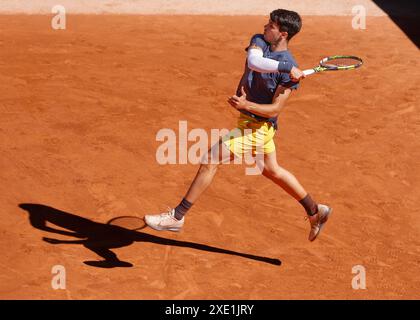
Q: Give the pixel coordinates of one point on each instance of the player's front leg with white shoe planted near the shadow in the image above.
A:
(173, 220)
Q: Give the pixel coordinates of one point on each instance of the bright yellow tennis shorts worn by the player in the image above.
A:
(250, 135)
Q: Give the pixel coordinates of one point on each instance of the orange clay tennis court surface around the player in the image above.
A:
(80, 110)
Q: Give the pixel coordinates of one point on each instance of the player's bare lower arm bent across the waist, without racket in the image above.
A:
(264, 110)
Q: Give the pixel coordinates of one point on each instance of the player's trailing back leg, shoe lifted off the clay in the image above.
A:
(317, 213)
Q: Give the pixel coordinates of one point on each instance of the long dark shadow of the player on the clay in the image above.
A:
(101, 237)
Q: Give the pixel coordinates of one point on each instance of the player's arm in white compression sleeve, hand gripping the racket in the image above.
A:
(258, 63)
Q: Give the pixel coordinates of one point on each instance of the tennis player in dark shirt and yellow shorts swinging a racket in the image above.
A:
(270, 76)
